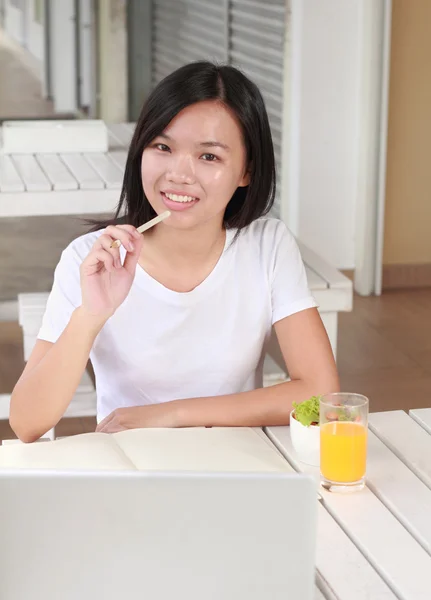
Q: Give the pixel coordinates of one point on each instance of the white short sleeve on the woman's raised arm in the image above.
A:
(64, 298)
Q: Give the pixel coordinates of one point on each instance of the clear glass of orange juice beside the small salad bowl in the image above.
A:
(343, 441)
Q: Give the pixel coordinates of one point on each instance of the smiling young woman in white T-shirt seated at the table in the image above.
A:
(176, 321)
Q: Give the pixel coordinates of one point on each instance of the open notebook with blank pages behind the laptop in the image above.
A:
(234, 449)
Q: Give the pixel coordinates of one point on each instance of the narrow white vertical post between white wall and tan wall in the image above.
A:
(374, 90)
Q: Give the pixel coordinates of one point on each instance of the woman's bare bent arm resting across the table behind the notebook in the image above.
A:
(310, 362)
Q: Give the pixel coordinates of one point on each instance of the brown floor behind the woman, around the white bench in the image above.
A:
(384, 352)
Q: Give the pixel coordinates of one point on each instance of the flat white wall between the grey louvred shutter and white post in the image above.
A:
(324, 135)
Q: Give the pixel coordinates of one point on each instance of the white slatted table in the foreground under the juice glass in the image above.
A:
(376, 543)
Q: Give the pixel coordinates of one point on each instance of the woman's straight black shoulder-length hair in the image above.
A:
(188, 85)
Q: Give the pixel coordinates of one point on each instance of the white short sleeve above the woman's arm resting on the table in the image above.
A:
(289, 290)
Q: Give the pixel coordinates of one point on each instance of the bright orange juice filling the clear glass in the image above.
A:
(343, 451)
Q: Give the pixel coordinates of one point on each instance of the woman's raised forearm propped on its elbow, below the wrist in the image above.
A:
(42, 395)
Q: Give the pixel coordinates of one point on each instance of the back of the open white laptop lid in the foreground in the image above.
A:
(113, 535)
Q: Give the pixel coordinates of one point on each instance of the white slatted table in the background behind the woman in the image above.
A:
(64, 184)
